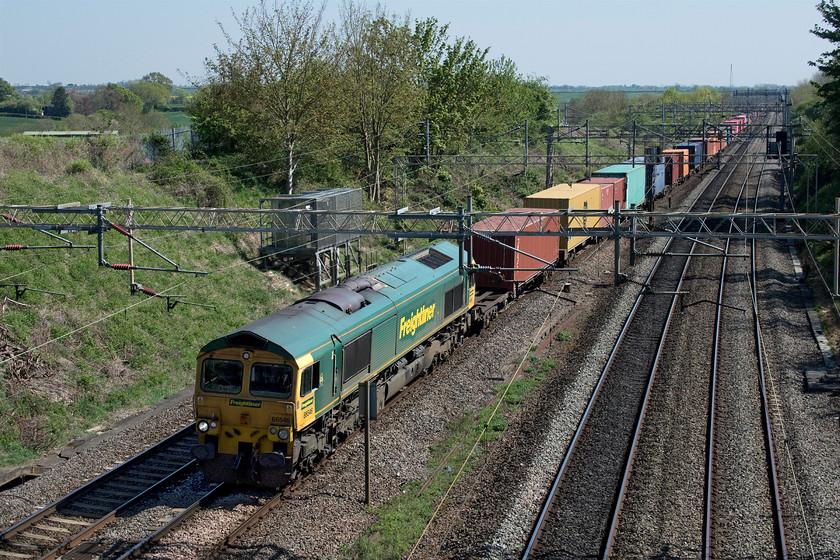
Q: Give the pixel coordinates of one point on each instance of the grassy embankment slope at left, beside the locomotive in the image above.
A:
(77, 357)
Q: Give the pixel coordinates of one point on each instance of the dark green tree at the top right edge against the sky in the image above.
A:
(829, 62)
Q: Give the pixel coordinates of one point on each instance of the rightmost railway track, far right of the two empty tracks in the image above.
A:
(738, 406)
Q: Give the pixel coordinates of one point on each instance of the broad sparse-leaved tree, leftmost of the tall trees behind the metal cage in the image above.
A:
(279, 79)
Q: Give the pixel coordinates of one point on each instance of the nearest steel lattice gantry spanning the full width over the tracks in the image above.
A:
(633, 224)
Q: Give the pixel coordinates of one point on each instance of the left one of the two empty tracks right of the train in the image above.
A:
(580, 515)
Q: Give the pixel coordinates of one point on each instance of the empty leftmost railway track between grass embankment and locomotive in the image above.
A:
(70, 521)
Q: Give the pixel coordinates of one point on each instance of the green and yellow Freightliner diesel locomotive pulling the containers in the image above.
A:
(273, 397)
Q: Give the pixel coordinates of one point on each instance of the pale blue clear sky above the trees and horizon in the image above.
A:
(574, 42)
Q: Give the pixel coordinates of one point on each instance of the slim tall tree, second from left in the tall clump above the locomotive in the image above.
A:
(380, 70)
